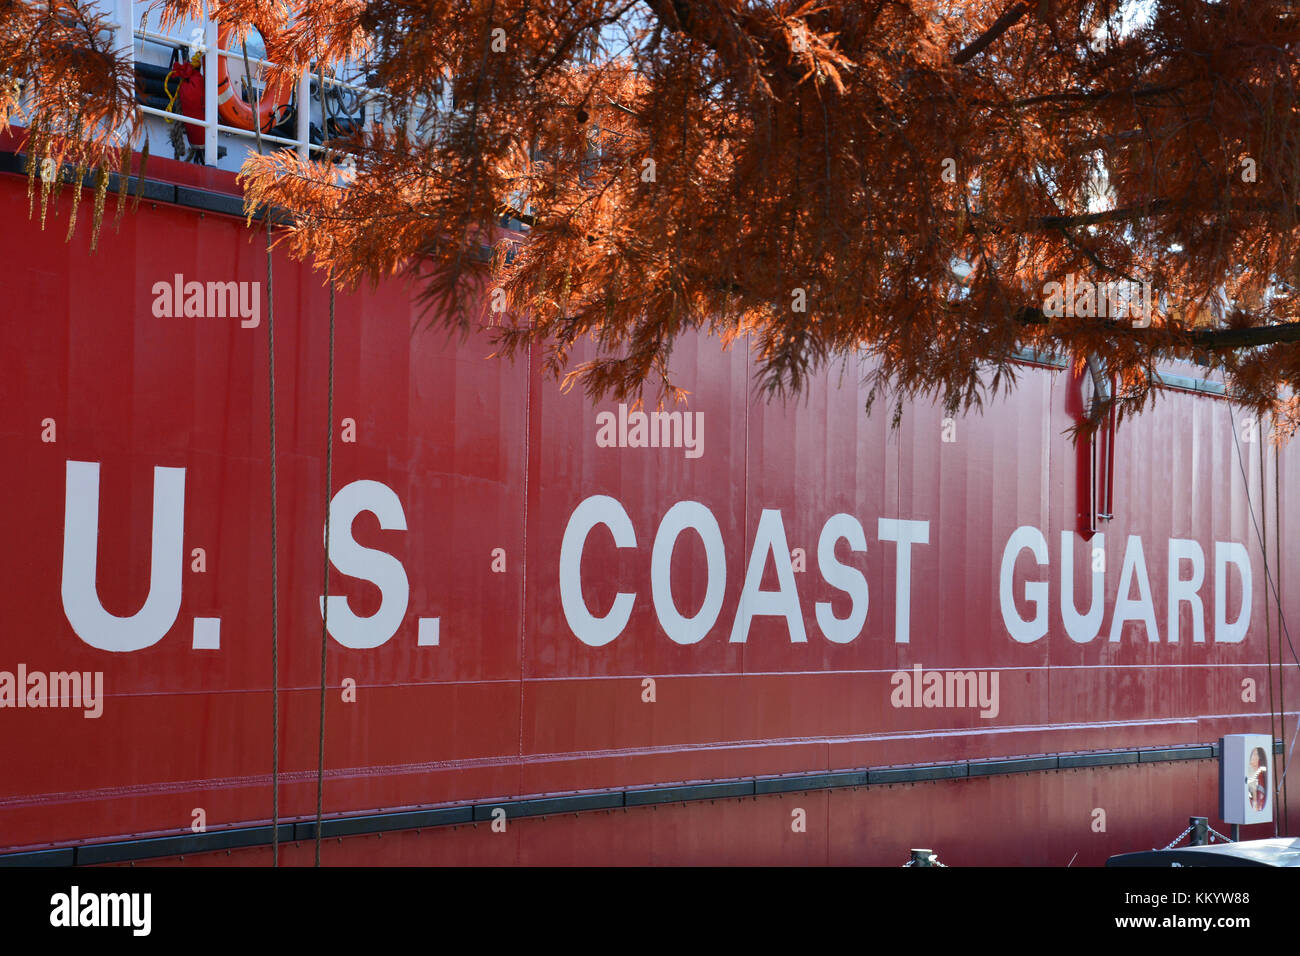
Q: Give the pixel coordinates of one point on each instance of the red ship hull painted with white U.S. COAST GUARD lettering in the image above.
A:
(470, 479)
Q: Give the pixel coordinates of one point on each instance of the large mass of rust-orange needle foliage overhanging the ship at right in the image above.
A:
(913, 172)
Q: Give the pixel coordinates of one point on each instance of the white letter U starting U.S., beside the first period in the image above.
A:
(81, 553)
